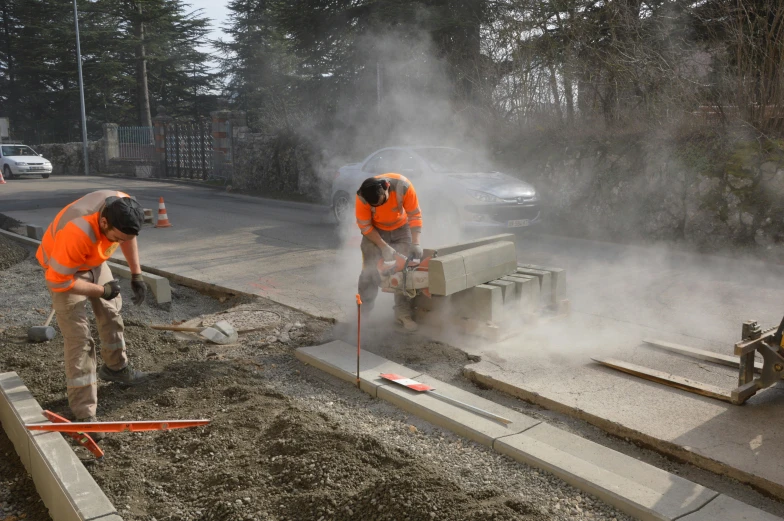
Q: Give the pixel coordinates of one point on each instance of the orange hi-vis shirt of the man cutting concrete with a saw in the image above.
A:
(401, 207)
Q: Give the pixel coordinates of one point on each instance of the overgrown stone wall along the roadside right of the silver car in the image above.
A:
(650, 191)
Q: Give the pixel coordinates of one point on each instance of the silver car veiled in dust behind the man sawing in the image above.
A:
(452, 185)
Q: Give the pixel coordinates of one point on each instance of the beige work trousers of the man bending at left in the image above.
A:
(80, 354)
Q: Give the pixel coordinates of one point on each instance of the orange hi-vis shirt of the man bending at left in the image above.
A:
(74, 242)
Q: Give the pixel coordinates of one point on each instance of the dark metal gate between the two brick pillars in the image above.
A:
(189, 150)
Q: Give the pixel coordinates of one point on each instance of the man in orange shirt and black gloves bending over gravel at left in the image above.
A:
(73, 253)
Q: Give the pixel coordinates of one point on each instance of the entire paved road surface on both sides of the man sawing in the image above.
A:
(292, 254)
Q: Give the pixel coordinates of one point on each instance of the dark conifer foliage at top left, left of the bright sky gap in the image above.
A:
(38, 73)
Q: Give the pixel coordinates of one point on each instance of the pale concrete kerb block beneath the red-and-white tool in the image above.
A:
(461, 421)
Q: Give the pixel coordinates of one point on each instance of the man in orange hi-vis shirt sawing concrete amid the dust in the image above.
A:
(388, 214)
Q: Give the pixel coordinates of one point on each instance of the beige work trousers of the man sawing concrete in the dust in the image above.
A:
(369, 278)
